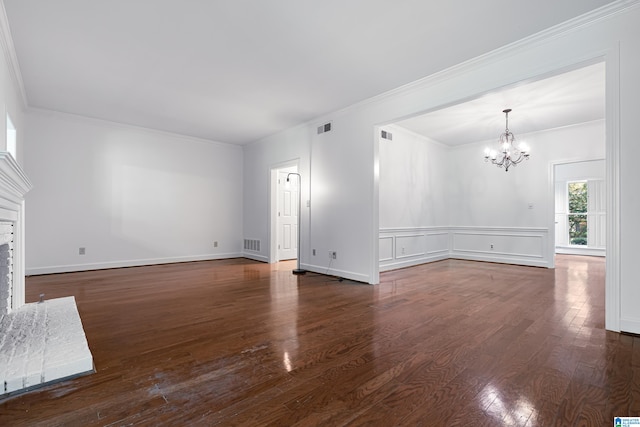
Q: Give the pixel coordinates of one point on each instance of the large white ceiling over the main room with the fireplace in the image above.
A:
(236, 71)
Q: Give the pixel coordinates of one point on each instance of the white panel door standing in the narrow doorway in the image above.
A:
(287, 216)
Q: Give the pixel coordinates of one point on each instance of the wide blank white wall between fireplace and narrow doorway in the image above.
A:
(130, 196)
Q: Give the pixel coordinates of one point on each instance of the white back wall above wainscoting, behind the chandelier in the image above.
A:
(484, 194)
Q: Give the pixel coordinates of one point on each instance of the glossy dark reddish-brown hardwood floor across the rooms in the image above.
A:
(237, 342)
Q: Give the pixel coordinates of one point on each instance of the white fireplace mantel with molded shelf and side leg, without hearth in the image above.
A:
(14, 184)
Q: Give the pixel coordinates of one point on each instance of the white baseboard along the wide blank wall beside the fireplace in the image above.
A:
(34, 271)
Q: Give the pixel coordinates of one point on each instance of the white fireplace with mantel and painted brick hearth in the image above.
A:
(40, 342)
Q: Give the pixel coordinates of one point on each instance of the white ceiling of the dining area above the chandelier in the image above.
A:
(574, 97)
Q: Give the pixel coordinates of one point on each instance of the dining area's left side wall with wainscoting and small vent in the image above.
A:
(413, 199)
